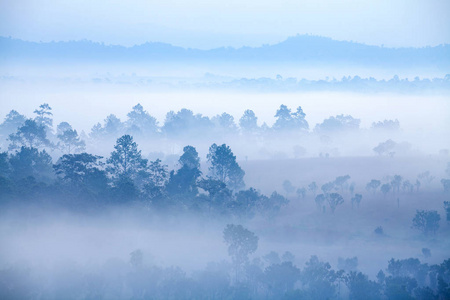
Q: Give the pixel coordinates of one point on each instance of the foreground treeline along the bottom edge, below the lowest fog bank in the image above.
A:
(268, 277)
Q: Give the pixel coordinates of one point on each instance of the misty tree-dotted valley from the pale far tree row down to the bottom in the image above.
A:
(200, 207)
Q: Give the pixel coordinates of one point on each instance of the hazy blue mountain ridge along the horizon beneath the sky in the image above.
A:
(301, 49)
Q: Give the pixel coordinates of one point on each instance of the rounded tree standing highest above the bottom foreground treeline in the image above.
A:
(241, 243)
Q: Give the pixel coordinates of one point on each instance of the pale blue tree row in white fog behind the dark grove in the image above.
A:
(181, 124)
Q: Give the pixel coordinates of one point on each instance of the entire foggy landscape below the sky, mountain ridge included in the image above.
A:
(305, 169)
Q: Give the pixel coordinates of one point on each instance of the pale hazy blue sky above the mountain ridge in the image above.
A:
(206, 23)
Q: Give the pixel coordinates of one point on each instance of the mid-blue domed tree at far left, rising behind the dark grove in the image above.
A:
(31, 135)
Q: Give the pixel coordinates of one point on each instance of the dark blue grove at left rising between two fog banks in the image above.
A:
(85, 180)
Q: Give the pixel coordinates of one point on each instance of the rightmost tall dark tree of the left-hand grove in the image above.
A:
(223, 166)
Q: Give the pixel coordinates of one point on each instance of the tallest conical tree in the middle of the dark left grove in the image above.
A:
(126, 160)
